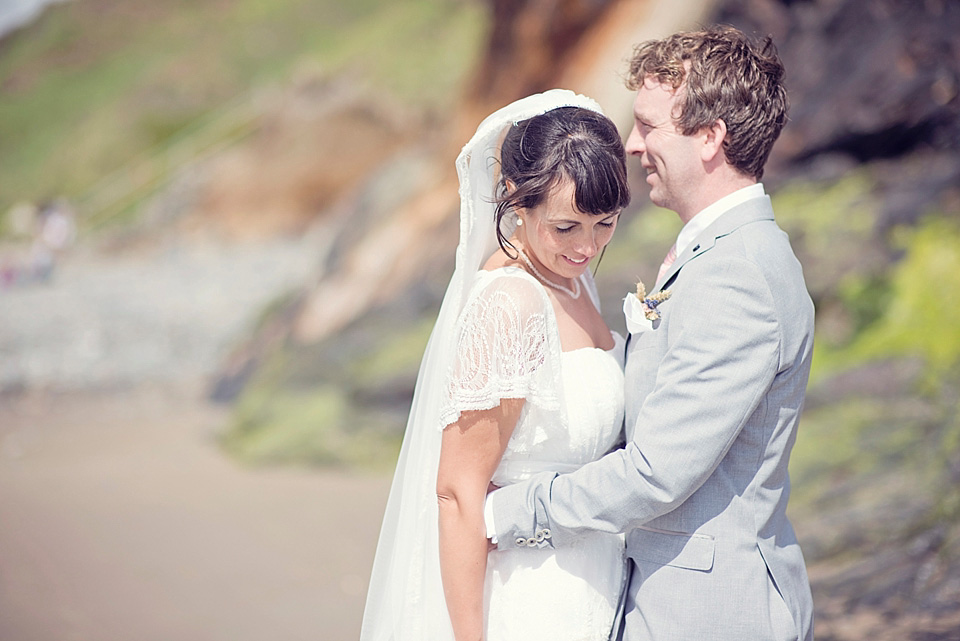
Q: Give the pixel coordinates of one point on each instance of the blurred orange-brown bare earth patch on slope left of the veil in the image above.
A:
(314, 142)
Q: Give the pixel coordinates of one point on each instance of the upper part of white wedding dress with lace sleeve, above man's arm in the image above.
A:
(508, 346)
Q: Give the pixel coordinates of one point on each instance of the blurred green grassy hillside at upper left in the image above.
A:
(92, 107)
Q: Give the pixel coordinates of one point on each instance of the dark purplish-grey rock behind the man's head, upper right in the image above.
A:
(870, 81)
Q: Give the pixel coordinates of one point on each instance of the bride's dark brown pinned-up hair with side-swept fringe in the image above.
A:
(565, 143)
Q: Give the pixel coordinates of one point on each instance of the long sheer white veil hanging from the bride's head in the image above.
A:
(405, 600)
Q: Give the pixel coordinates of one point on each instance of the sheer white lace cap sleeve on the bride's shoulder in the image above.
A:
(507, 347)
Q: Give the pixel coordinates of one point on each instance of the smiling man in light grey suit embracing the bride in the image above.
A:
(715, 375)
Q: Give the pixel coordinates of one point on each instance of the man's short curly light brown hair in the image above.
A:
(722, 75)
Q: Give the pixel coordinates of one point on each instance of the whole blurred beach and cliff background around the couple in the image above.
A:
(225, 229)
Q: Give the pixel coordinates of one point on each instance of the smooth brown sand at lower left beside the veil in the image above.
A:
(120, 520)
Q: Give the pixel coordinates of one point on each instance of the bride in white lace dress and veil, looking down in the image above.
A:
(521, 375)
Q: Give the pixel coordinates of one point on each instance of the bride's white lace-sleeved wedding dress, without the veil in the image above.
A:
(509, 347)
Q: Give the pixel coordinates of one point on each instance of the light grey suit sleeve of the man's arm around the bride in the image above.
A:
(723, 353)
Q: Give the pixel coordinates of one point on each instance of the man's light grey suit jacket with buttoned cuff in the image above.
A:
(714, 392)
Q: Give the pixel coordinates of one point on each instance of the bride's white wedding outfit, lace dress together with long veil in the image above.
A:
(496, 337)
